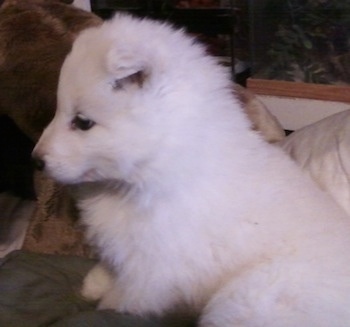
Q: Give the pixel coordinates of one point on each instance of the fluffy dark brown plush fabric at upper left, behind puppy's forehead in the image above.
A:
(35, 37)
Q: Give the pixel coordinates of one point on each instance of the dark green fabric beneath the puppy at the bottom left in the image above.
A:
(38, 290)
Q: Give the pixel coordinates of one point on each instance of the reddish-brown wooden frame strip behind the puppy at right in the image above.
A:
(325, 92)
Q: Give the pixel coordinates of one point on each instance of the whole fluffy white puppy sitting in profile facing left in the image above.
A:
(184, 202)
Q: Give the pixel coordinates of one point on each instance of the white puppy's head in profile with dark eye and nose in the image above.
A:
(125, 93)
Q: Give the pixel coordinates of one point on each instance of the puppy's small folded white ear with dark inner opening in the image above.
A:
(126, 67)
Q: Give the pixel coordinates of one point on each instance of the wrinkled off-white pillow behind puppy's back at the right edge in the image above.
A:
(323, 150)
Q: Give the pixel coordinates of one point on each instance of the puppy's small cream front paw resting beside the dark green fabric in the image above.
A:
(97, 283)
